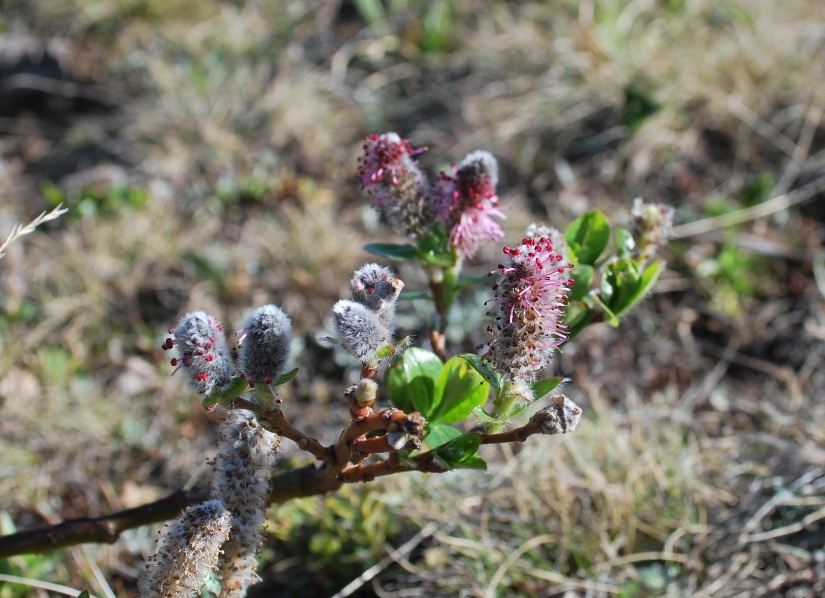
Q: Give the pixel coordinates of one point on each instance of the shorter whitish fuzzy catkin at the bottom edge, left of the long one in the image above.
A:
(187, 553)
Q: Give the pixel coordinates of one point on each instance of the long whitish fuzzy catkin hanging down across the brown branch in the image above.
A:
(246, 457)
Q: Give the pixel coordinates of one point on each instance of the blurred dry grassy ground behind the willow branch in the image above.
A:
(207, 152)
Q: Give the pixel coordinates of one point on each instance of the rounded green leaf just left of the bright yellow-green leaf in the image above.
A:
(411, 381)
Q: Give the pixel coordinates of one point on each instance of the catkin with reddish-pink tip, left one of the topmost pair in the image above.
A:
(398, 187)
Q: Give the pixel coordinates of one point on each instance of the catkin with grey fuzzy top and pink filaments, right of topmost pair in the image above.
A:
(467, 202)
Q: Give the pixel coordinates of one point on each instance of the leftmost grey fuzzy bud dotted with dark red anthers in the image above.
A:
(202, 352)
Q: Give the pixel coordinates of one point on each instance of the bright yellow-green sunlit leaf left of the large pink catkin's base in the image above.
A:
(458, 390)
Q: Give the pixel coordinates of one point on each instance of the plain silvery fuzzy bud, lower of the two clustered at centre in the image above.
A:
(361, 332)
